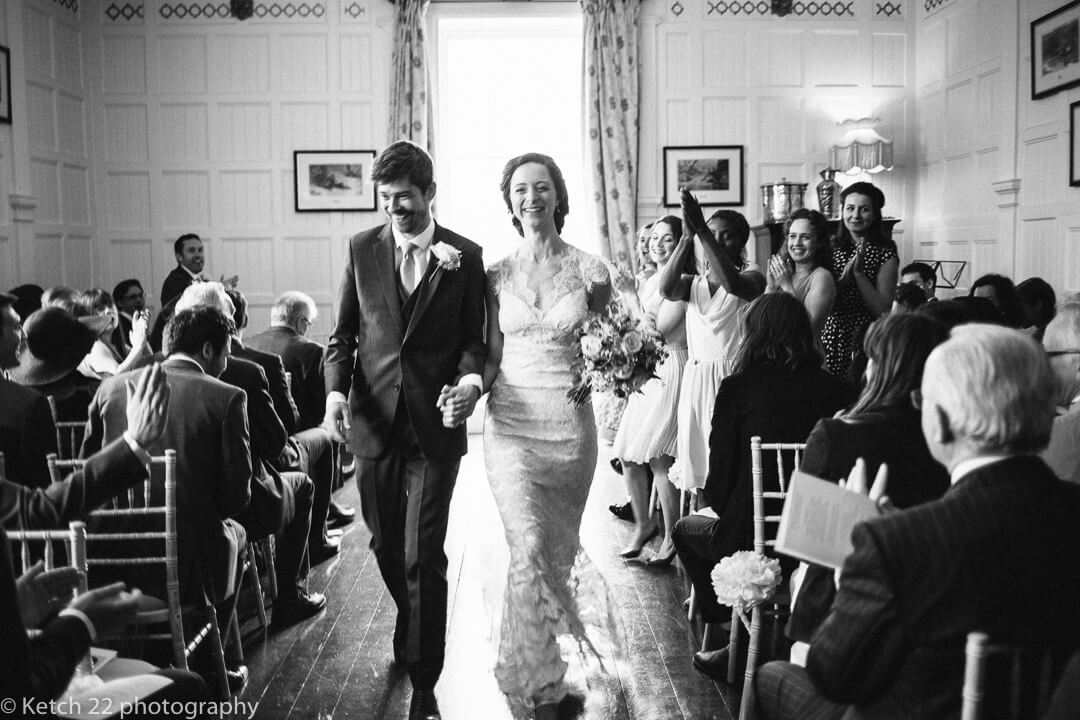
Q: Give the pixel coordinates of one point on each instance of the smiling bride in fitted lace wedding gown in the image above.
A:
(539, 449)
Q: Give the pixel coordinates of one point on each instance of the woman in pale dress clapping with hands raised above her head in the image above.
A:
(715, 297)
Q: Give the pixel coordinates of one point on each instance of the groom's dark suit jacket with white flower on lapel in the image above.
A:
(383, 348)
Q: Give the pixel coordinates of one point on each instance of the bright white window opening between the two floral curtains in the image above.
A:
(507, 80)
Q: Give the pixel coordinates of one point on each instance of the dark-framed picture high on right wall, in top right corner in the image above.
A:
(1056, 51)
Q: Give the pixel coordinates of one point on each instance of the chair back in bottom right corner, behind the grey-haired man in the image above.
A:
(1009, 682)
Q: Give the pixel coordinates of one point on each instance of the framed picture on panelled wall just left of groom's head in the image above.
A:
(333, 181)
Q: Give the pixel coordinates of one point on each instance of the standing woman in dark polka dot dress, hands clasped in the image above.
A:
(865, 265)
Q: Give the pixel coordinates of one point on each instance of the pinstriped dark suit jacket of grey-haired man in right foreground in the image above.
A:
(1000, 553)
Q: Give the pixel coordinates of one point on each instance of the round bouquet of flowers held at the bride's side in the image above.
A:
(619, 355)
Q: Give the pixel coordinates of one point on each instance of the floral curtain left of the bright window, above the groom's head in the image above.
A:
(411, 114)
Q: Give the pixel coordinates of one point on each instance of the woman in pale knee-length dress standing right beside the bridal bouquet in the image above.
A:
(649, 431)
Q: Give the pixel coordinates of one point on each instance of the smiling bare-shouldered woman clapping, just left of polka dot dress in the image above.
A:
(801, 268)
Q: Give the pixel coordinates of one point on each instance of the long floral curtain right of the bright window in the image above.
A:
(612, 92)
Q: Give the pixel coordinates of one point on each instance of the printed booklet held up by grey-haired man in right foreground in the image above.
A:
(818, 519)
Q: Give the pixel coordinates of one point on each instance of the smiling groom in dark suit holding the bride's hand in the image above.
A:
(409, 342)
